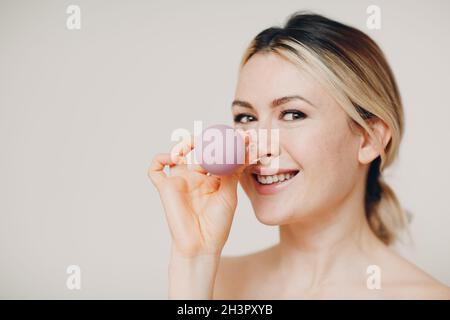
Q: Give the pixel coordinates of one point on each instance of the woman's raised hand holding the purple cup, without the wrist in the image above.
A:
(199, 207)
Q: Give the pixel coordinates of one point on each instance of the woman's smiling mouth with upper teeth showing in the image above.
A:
(270, 184)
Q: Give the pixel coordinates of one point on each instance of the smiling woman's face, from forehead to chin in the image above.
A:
(317, 148)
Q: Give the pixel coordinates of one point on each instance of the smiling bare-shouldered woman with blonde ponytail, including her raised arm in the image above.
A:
(329, 91)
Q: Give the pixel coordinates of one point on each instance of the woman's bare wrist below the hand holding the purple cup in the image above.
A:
(192, 277)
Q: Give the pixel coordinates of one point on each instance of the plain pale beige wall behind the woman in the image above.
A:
(82, 113)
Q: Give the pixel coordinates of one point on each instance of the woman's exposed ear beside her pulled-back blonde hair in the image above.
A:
(369, 149)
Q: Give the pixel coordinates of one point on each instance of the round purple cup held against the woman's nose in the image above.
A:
(220, 149)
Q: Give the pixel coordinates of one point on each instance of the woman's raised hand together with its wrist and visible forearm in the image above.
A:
(199, 209)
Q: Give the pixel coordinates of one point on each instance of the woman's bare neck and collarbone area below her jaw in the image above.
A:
(332, 246)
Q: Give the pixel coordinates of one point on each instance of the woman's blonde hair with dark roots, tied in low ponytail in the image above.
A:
(354, 69)
